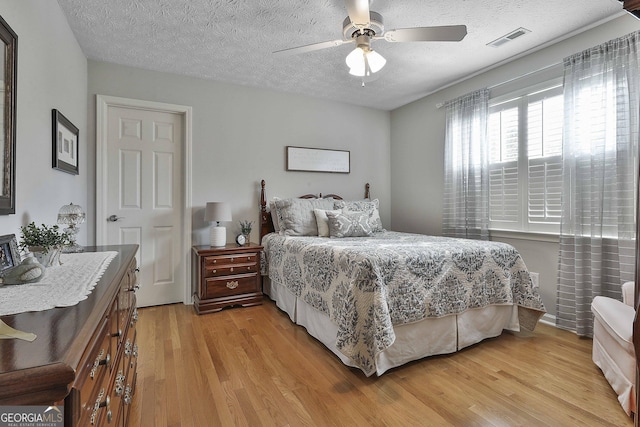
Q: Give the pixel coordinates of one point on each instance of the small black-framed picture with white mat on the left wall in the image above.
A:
(65, 143)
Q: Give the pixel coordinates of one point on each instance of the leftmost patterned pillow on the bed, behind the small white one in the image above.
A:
(296, 217)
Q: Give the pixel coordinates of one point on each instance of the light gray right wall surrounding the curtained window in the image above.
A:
(417, 150)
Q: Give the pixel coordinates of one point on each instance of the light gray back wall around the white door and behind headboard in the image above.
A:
(239, 138)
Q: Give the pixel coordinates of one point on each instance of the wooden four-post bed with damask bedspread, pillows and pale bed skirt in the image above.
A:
(379, 299)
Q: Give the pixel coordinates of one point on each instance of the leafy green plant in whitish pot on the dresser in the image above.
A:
(45, 242)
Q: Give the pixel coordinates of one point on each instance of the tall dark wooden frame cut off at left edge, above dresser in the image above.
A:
(9, 64)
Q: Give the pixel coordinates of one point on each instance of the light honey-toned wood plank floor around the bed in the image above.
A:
(252, 367)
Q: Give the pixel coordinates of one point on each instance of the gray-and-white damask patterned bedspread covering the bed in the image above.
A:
(368, 284)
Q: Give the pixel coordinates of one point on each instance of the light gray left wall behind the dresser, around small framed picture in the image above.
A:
(52, 73)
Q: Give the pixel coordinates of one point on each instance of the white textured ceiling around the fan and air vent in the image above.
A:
(232, 41)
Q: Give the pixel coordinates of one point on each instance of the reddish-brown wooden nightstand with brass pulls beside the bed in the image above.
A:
(225, 276)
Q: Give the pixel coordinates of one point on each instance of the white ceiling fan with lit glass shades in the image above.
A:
(362, 25)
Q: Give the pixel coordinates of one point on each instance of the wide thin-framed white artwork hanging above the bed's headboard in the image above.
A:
(318, 160)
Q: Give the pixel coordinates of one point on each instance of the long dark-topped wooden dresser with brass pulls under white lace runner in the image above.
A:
(85, 356)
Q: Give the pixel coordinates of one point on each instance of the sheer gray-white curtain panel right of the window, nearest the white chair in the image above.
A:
(600, 144)
